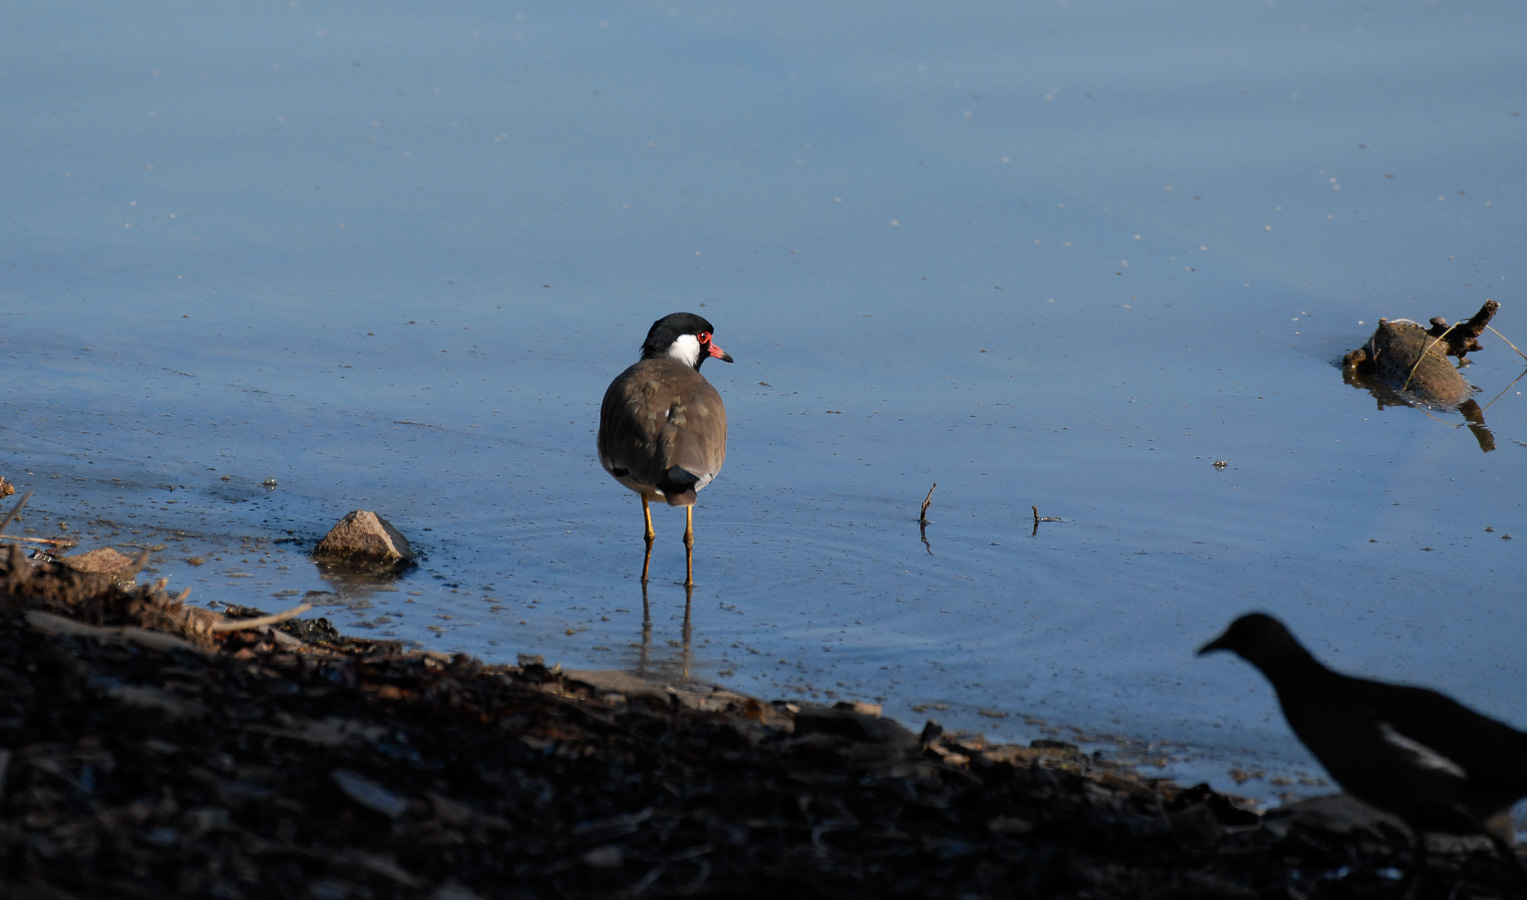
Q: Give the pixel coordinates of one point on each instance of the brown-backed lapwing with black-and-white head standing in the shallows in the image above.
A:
(663, 429)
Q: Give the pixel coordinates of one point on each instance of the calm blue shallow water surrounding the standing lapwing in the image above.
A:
(1064, 257)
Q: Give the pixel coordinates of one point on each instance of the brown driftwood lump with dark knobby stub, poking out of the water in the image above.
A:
(1415, 360)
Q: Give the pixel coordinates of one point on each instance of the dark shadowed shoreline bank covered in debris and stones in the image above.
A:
(144, 753)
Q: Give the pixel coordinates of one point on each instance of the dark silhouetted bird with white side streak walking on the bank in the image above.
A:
(1432, 762)
